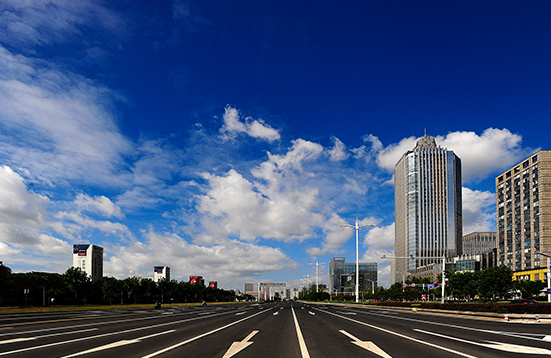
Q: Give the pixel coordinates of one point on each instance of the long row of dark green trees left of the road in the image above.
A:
(75, 287)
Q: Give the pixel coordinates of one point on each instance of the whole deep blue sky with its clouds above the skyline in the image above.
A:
(230, 139)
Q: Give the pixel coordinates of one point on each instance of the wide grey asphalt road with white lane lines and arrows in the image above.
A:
(267, 330)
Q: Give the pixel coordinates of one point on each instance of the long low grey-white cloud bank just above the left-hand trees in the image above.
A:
(229, 260)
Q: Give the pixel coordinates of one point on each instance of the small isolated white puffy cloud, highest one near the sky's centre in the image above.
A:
(255, 128)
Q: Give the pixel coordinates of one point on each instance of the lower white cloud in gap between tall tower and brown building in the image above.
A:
(479, 211)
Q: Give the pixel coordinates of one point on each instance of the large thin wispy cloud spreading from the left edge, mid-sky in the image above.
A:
(61, 125)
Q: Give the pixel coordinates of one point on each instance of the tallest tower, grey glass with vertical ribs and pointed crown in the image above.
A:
(427, 194)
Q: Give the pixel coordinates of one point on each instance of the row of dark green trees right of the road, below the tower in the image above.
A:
(491, 284)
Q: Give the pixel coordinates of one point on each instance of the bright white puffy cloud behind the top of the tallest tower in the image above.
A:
(481, 155)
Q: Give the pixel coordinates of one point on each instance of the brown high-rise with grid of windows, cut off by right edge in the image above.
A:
(523, 200)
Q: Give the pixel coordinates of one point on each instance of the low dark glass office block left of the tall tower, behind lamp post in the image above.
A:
(342, 275)
